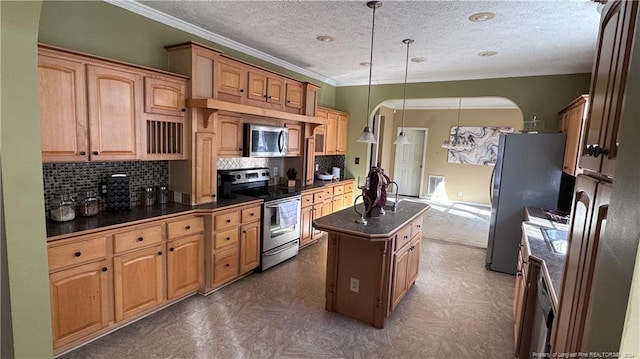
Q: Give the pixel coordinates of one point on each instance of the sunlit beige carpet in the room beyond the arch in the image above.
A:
(456, 222)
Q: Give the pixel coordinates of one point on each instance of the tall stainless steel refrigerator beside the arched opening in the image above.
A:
(527, 174)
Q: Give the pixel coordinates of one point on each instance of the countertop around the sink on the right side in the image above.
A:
(553, 263)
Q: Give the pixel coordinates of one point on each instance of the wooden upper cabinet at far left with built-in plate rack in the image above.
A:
(99, 110)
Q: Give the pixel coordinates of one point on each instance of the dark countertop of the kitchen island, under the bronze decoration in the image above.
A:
(378, 228)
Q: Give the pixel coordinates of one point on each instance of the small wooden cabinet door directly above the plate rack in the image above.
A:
(164, 97)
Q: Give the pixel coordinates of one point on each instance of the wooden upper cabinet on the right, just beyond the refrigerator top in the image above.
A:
(571, 122)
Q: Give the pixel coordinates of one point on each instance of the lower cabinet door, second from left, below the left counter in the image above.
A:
(138, 281)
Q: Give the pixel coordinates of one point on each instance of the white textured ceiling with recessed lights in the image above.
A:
(530, 37)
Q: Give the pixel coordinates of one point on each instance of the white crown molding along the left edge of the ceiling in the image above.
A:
(174, 22)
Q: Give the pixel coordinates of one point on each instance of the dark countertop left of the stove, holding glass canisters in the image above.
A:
(103, 220)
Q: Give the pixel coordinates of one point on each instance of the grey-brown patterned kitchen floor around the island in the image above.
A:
(456, 309)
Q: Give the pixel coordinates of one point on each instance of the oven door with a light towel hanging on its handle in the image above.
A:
(281, 222)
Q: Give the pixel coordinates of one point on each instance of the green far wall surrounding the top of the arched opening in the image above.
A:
(542, 96)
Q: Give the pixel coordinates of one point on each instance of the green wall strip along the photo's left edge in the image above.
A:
(22, 182)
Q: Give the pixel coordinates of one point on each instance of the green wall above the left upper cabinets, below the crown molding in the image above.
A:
(106, 30)
